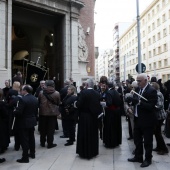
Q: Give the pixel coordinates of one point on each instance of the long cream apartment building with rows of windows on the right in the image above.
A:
(155, 43)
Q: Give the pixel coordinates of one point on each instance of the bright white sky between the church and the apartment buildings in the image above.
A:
(110, 12)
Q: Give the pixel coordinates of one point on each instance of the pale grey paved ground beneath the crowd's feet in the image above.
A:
(64, 157)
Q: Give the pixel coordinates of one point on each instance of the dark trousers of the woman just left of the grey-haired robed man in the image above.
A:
(71, 129)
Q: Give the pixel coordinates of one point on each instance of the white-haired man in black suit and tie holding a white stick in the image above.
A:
(144, 120)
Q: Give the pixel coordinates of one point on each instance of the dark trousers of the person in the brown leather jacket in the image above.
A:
(47, 129)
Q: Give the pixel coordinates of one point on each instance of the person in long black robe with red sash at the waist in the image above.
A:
(112, 131)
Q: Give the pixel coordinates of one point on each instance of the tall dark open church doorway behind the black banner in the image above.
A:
(38, 36)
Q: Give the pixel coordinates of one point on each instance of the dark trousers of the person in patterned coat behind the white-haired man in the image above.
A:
(158, 135)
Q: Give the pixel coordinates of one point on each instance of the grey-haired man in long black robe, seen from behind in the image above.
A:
(89, 107)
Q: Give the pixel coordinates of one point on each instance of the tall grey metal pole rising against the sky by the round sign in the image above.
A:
(138, 33)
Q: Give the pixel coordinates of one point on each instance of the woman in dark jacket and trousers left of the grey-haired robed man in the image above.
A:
(69, 113)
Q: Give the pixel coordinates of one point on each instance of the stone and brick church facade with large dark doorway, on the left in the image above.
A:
(49, 32)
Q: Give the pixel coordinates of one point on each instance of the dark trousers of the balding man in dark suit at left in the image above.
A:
(27, 140)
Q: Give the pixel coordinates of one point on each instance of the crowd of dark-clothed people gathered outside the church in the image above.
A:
(96, 110)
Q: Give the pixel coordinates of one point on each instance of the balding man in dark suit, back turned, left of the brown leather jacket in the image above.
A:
(26, 114)
